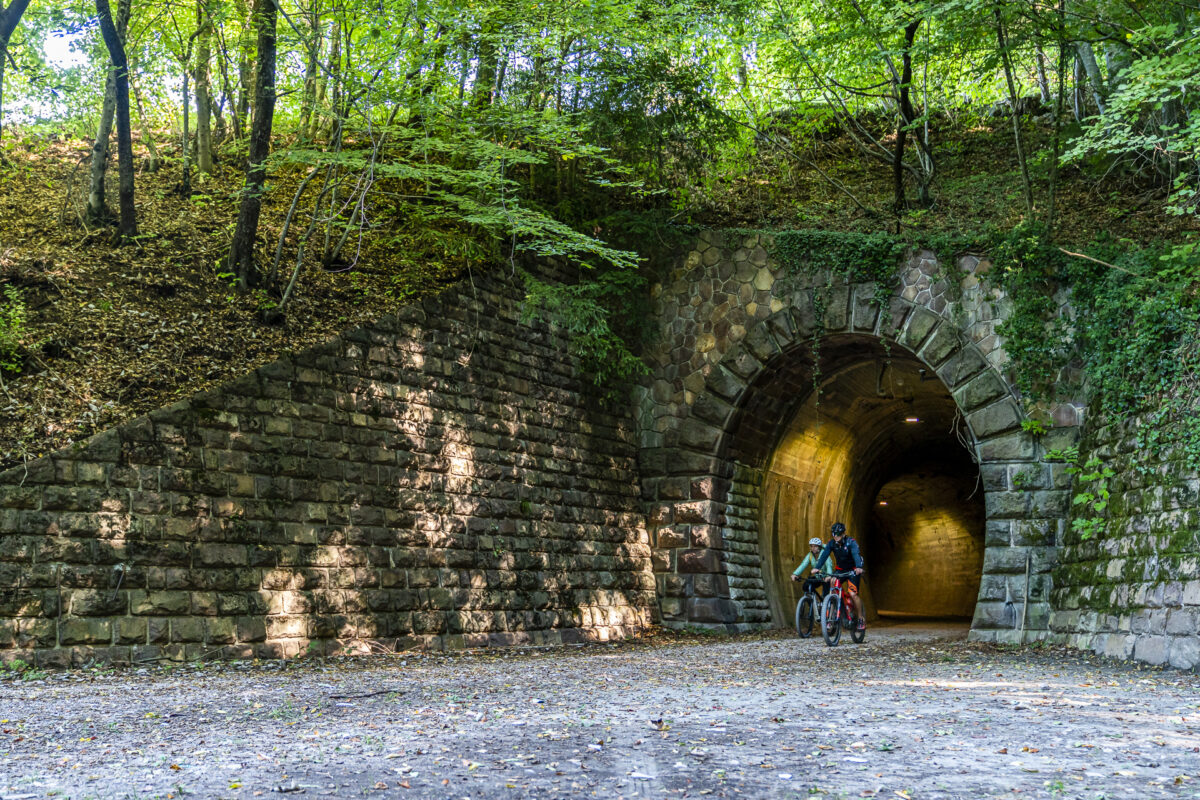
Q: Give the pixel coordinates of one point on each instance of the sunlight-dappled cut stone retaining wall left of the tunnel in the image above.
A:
(445, 478)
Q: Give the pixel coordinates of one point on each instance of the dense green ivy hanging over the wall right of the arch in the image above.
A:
(1133, 332)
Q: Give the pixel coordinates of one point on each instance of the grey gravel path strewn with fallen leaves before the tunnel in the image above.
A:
(914, 713)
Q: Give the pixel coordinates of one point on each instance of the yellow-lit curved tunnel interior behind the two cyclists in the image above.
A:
(881, 448)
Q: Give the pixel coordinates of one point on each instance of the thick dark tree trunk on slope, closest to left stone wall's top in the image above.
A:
(242, 252)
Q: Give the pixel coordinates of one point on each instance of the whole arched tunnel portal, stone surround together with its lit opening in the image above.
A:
(896, 424)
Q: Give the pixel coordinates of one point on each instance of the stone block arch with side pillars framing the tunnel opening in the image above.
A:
(705, 516)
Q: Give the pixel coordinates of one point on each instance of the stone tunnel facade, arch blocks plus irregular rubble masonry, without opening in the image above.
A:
(731, 322)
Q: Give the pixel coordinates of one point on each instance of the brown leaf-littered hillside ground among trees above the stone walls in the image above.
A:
(115, 333)
